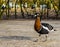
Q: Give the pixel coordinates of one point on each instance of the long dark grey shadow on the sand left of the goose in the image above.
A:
(15, 38)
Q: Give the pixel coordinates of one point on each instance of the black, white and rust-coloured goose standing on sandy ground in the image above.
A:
(42, 28)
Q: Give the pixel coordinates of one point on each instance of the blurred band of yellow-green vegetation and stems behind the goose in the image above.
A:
(27, 8)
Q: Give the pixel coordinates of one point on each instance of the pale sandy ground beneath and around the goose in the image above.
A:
(21, 33)
